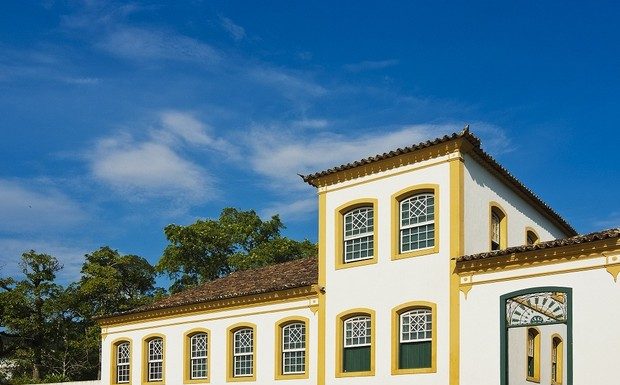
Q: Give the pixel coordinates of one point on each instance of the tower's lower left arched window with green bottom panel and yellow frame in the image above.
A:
(355, 343)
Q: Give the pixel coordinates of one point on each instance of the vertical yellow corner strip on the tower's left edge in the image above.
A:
(321, 293)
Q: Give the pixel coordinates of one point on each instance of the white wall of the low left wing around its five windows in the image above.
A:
(264, 317)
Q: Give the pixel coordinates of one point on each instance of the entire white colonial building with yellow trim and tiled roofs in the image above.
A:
(435, 266)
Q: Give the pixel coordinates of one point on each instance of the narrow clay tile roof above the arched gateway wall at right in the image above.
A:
(597, 236)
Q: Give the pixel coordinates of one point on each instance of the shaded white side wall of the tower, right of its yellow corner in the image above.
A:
(481, 187)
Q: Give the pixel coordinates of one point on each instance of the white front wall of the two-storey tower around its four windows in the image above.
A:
(387, 284)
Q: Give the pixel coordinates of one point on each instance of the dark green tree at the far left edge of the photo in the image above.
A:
(28, 308)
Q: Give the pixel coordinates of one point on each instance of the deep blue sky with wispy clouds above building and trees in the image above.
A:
(120, 118)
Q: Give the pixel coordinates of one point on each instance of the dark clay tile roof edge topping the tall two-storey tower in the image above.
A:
(477, 152)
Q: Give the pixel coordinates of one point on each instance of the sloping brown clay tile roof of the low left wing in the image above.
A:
(281, 276)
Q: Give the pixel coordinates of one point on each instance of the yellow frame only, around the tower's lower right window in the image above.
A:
(396, 312)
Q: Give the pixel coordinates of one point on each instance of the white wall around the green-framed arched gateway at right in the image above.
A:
(595, 312)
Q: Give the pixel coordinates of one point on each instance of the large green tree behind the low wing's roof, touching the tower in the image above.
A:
(208, 249)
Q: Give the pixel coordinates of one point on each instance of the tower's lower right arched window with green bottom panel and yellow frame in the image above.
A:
(414, 338)
